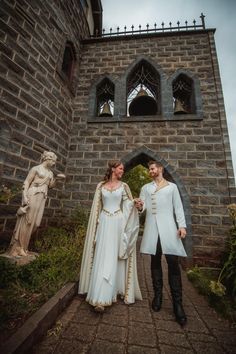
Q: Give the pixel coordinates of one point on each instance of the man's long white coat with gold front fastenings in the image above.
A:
(164, 214)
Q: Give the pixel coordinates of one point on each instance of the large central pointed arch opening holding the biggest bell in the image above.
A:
(143, 91)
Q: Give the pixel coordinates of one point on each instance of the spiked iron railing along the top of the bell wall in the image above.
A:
(155, 29)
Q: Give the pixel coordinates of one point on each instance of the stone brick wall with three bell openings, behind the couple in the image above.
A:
(195, 149)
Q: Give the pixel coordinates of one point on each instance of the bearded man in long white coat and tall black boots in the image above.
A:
(161, 200)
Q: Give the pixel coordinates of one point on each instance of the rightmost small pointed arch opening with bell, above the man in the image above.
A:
(183, 95)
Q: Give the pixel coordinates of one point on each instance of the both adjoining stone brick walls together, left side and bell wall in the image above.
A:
(40, 111)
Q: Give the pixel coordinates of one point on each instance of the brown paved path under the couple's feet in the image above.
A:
(137, 329)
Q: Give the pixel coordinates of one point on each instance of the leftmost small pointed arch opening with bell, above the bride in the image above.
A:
(105, 98)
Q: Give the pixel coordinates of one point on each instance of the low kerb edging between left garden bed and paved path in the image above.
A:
(37, 325)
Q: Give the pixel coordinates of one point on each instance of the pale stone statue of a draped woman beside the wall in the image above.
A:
(34, 195)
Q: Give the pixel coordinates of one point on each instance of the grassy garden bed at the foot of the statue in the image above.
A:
(23, 289)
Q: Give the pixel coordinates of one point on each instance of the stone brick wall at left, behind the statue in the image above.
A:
(35, 106)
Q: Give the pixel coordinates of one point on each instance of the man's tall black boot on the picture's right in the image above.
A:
(176, 292)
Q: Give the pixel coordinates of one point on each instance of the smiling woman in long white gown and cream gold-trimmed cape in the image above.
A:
(109, 258)
